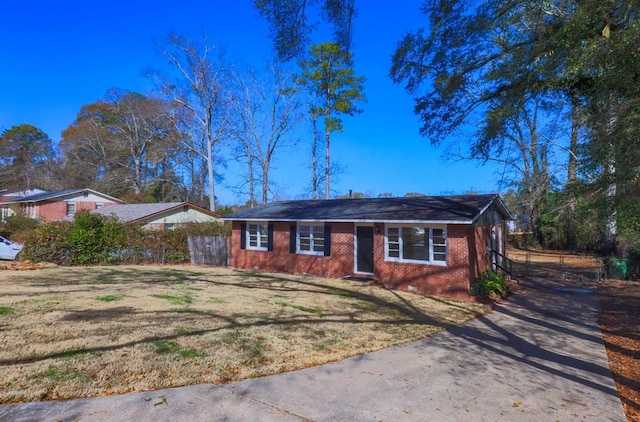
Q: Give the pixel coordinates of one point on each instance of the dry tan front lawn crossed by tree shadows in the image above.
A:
(77, 332)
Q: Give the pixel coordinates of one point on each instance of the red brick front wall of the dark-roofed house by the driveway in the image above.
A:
(466, 257)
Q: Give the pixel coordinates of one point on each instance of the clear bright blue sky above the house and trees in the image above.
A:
(56, 57)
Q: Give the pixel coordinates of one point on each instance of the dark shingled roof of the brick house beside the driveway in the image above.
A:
(454, 209)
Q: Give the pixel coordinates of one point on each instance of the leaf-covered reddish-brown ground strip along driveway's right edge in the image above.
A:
(620, 324)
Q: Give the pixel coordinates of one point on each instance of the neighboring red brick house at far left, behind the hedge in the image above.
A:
(56, 206)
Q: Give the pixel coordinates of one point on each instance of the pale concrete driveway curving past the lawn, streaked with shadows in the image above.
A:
(538, 357)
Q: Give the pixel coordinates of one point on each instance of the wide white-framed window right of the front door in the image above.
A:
(417, 244)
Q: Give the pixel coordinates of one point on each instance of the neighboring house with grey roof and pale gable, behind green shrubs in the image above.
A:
(160, 216)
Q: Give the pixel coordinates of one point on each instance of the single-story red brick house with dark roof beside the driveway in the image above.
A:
(429, 245)
